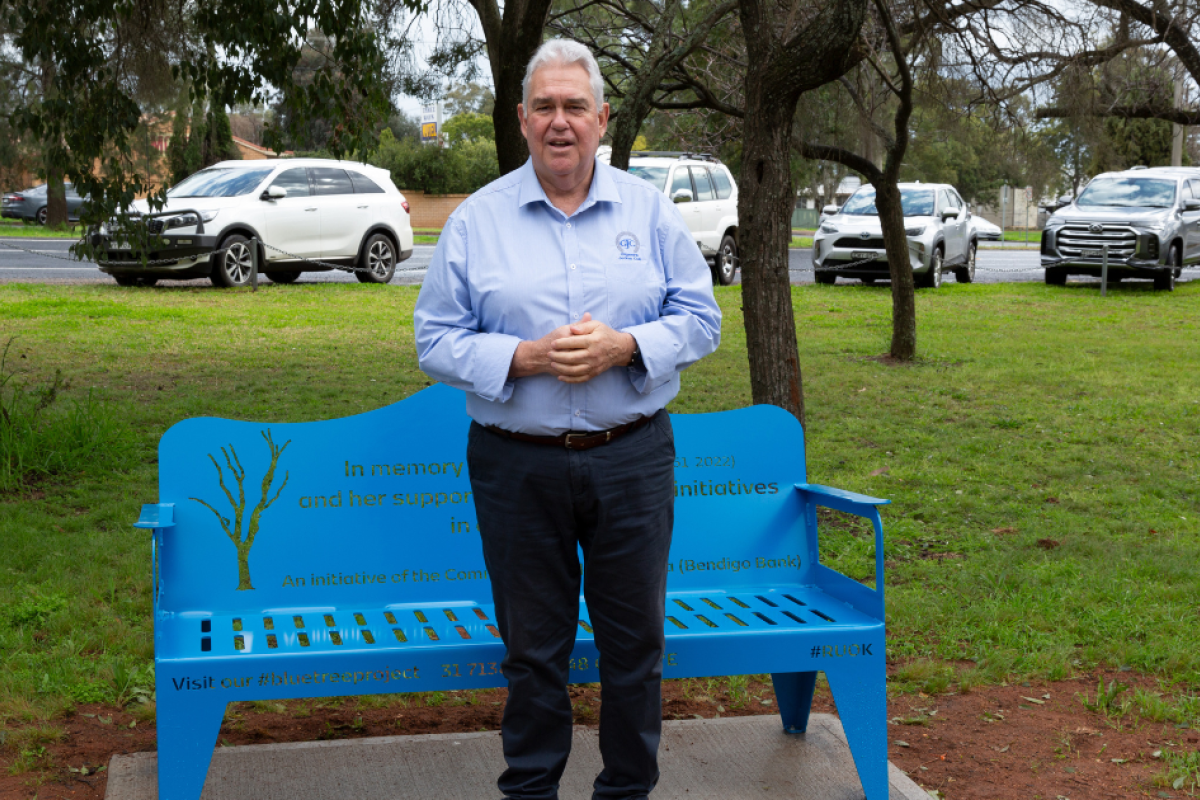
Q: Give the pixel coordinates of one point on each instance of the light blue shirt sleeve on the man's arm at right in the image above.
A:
(691, 323)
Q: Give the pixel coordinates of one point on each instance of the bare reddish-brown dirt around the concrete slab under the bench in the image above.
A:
(1029, 741)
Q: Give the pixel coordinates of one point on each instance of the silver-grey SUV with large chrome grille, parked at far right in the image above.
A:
(1148, 219)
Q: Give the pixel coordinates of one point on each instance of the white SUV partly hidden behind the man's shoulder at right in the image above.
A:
(707, 196)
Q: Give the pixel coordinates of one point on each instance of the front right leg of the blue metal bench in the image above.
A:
(861, 694)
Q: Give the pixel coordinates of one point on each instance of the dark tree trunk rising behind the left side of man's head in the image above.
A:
(512, 38)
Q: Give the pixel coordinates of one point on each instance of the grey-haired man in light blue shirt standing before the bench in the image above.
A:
(566, 299)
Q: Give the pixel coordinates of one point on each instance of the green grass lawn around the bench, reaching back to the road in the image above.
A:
(1042, 459)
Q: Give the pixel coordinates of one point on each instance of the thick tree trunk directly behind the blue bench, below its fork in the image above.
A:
(765, 215)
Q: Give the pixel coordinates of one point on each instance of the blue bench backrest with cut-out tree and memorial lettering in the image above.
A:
(376, 509)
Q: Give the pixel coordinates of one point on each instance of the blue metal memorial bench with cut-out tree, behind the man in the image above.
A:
(344, 558)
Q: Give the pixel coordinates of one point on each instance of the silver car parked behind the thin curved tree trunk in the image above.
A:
(939, 226)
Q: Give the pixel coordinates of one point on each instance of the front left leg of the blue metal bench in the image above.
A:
(189, 724)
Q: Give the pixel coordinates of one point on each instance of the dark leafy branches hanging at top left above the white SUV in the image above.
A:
(97, 53)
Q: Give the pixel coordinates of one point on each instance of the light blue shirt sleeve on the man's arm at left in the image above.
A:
(451, 346)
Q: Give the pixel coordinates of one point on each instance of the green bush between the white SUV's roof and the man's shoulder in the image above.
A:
(465, 167)
